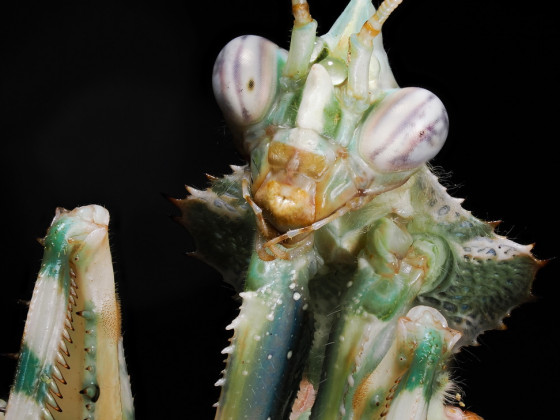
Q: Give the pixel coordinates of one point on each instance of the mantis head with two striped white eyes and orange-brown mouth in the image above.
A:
(325, 125)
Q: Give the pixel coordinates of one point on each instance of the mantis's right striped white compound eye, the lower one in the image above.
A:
(405, 130)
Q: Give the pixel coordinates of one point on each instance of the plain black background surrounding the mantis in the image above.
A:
(111, 103)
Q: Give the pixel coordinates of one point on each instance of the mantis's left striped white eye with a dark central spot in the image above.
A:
(245, 78)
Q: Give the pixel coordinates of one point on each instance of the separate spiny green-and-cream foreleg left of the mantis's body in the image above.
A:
(71, 364)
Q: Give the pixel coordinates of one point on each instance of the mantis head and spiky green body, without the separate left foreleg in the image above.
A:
(359, 275)
